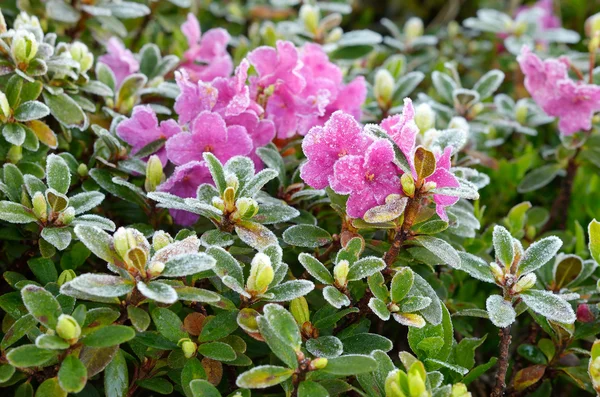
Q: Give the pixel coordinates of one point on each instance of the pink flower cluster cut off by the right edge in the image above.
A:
(548, 82)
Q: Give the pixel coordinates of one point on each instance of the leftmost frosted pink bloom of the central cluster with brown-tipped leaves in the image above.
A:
(323, 146)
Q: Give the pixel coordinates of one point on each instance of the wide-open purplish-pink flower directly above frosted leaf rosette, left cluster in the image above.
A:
(208, 133)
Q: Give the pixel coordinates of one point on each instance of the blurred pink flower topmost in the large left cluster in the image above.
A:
(207, 56)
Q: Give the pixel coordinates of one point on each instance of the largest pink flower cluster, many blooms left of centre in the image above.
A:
(292, 91)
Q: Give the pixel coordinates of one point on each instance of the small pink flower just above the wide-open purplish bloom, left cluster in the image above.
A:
(194, 97)
